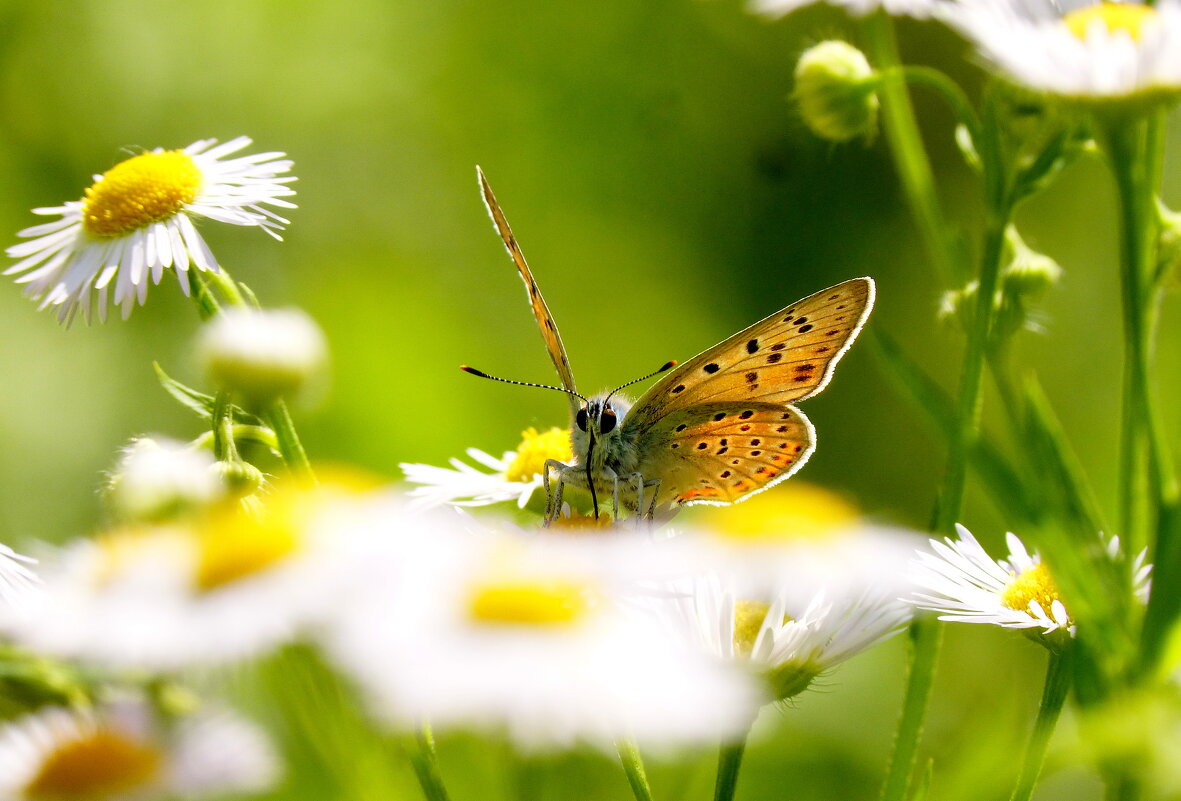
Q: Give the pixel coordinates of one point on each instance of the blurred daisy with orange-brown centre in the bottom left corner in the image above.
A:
(122, 752)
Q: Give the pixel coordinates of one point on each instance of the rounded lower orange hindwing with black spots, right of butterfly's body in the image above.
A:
(722, 452)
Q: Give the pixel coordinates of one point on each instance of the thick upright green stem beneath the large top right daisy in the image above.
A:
(1141, 468)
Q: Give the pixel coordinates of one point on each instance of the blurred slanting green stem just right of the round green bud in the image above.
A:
(908, 151)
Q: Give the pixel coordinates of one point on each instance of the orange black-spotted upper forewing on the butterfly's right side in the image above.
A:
(786, 357)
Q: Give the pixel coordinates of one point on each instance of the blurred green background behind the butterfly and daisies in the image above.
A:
(667, 196)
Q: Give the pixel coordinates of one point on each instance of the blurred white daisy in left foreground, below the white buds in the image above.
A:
(226, 588)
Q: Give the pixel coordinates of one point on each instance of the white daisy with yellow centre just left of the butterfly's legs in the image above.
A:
(516, 477)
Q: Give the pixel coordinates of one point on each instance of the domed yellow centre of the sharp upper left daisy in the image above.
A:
(142, 191)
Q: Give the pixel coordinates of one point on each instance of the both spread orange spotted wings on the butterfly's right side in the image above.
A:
(720, 427)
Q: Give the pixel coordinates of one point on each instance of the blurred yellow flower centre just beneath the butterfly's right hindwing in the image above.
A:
(793, 513)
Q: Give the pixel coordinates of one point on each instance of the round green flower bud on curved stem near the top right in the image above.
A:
(837, 92)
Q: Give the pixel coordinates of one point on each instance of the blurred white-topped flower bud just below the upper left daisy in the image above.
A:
(263, 355)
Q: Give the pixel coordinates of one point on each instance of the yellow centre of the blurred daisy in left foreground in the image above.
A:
(239, 544)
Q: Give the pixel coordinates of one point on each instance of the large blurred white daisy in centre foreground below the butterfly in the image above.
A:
(527, 636)
